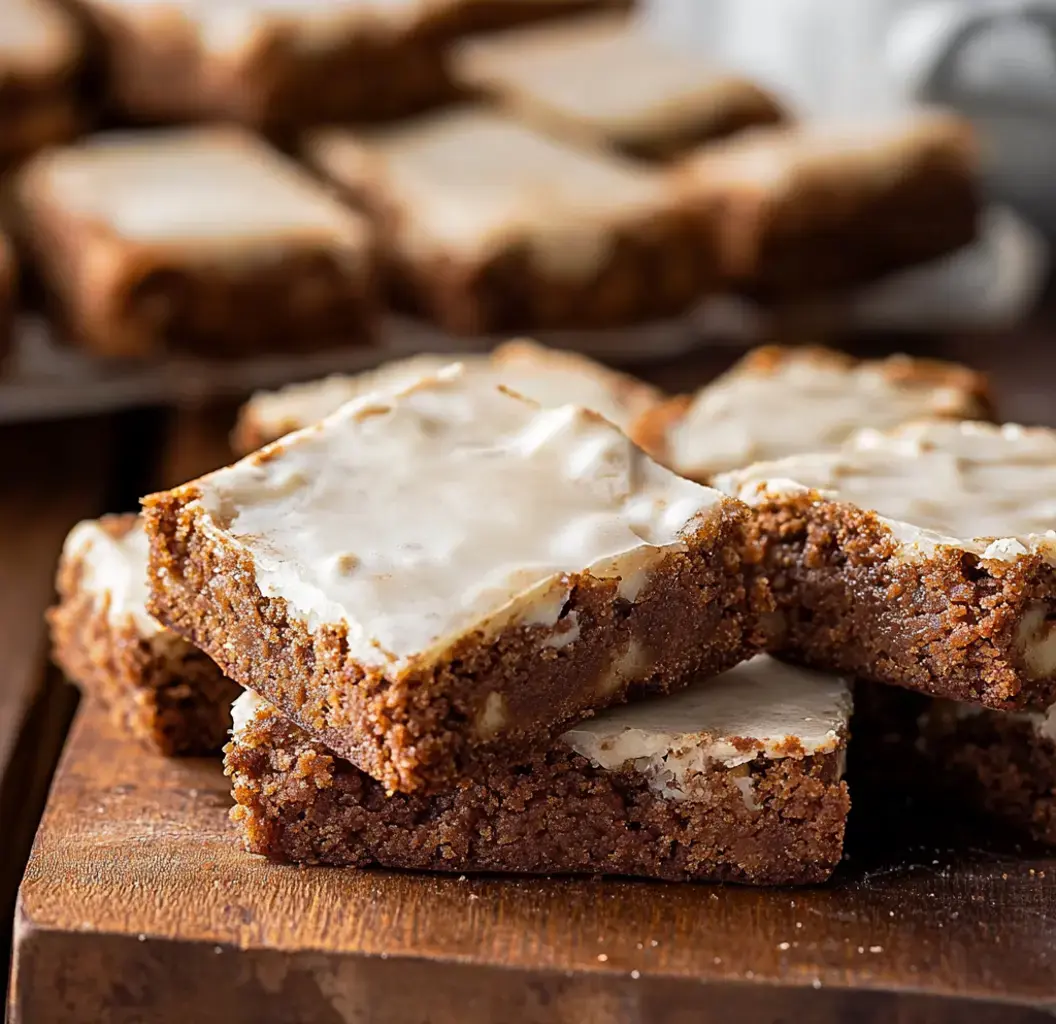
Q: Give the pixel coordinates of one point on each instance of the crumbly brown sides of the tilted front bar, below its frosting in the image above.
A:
(696, 618)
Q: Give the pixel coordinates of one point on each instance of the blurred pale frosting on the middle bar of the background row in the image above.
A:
(470, 183)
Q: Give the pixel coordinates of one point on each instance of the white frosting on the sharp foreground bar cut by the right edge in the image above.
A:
(988, 490)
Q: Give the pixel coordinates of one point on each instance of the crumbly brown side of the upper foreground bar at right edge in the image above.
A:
(846, 601)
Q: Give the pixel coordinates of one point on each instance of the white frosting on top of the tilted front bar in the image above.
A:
(416, 518)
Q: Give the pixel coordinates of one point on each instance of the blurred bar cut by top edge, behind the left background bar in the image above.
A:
(275, 65)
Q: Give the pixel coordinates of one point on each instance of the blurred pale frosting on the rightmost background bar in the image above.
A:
(853, 156)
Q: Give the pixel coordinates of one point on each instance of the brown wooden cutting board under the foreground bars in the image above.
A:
(139, 905)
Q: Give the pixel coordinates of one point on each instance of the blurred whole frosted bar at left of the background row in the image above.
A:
(199, 240)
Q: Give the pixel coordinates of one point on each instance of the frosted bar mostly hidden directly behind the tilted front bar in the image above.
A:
(545, 375)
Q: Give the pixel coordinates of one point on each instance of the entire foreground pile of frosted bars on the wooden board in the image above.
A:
(477, 628)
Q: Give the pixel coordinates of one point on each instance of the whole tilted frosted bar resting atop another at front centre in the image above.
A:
(431, 577)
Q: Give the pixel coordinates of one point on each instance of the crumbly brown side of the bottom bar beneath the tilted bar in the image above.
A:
(551, 813)
